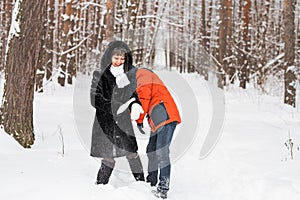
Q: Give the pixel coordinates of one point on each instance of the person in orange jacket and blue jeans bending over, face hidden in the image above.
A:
(163, 116)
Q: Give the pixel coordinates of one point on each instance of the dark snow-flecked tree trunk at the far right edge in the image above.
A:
(289, 48)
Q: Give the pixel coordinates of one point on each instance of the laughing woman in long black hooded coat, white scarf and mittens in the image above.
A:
(113, 85)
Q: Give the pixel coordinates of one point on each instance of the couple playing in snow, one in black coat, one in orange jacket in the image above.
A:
(121, 93)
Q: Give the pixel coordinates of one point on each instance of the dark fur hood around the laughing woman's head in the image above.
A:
(106, 58)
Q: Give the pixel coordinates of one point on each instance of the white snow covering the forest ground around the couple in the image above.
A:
(249, 161)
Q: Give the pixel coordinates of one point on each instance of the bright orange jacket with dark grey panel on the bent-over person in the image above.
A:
(156, 100)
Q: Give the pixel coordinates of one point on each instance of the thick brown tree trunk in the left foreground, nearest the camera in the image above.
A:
(22, 62)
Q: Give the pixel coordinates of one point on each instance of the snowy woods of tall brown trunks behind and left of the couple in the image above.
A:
(235, 41)
